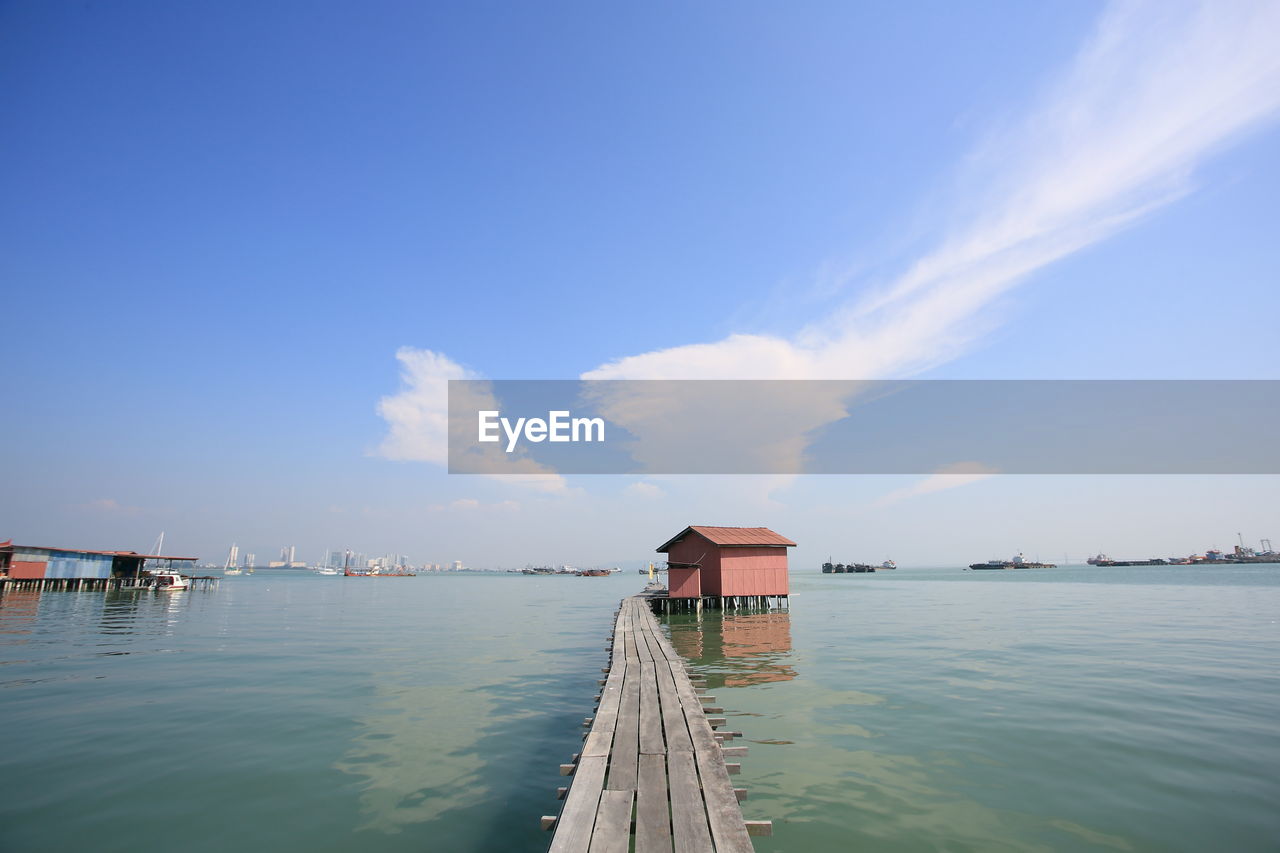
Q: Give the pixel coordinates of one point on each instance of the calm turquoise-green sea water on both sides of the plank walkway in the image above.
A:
(1055, 710)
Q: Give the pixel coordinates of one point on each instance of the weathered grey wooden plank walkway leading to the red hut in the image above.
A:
(653, 767)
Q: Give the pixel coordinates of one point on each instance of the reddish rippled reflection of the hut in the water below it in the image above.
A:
(737, 650)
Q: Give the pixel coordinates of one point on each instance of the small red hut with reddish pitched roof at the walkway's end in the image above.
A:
(726, 562)
